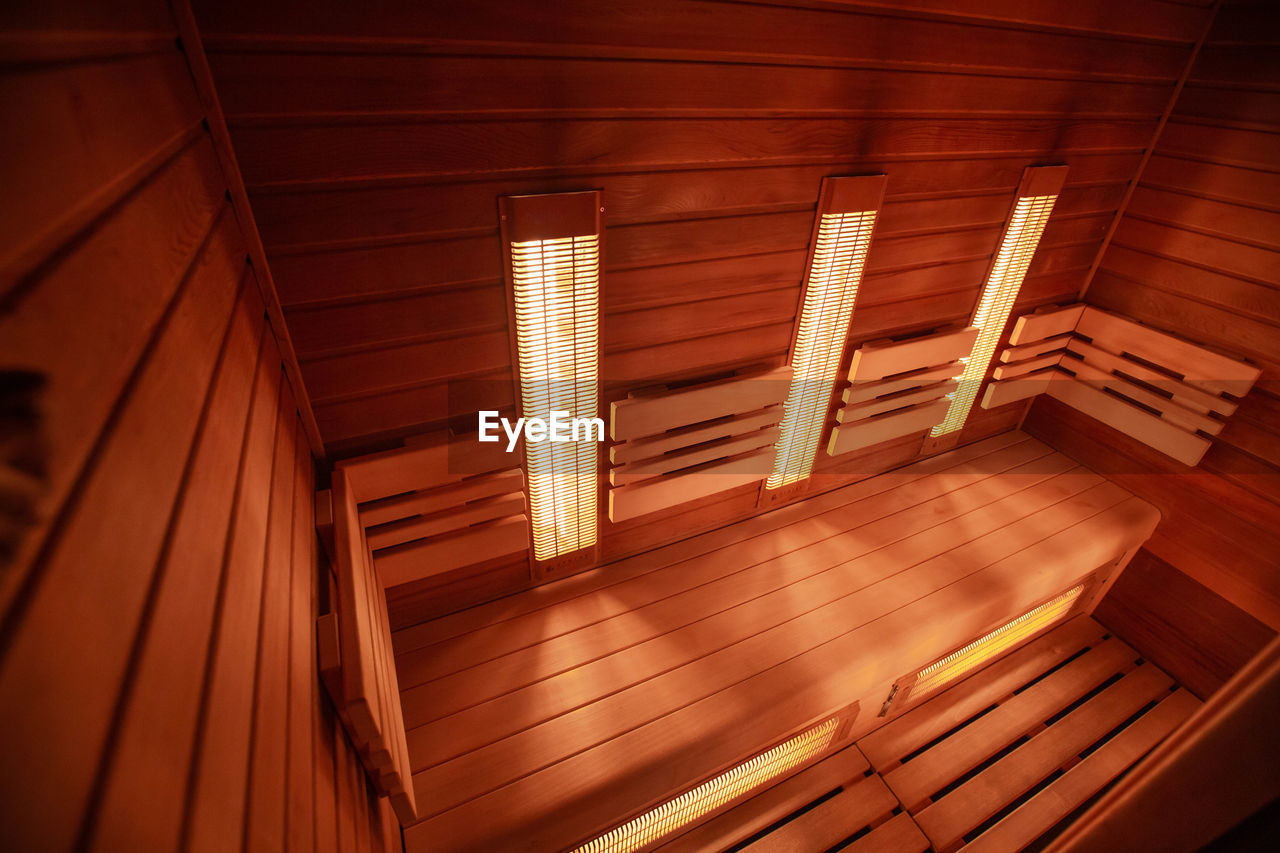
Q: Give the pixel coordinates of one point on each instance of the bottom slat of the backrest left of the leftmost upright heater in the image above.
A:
(418, 560)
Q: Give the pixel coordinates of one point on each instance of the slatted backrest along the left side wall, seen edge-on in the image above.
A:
(367, 691)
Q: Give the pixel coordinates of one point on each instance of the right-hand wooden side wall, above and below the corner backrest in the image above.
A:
(1196, 253)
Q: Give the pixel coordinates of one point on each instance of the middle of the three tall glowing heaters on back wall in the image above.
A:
(848, 209)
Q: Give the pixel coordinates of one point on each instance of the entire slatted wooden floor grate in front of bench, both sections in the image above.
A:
(994, 764)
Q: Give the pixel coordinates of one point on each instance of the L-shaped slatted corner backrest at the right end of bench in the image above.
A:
(1164, 391)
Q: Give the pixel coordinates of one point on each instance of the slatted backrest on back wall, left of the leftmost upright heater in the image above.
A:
(438, 505)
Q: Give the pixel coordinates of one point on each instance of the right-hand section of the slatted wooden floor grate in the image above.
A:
(999, 760)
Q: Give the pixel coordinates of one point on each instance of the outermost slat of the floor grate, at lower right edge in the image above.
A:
(1082, 782)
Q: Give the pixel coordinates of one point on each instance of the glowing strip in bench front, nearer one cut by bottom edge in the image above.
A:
(715, 793)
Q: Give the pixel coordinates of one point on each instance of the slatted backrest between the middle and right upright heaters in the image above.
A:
(899, 387)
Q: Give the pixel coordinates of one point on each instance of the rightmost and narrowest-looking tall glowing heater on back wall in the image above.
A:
(1022, 236)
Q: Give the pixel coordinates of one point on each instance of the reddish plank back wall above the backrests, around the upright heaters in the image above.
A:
(374, 148)
